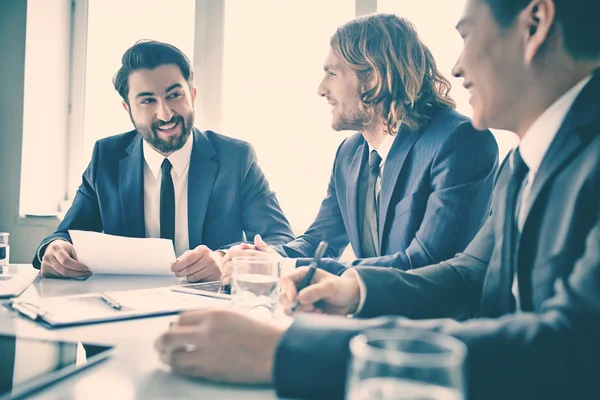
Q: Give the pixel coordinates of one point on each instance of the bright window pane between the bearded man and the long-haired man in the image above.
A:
(273, 63)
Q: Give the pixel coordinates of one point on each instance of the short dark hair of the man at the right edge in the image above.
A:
(577, 18)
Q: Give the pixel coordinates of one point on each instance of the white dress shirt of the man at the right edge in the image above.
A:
(533, 148)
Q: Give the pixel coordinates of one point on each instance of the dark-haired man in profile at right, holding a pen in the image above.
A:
(527, 286)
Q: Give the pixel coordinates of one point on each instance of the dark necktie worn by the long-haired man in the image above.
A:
(370, 239)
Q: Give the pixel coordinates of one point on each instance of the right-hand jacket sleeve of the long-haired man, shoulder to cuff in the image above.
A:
(462, 179)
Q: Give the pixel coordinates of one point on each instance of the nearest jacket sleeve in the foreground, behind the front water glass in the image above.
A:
(549, 355)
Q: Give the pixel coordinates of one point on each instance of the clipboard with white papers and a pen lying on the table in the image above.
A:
(65, 311)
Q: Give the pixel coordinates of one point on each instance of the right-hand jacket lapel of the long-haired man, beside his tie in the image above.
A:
(403, 143)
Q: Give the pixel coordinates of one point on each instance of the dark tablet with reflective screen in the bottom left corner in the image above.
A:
(29, 365)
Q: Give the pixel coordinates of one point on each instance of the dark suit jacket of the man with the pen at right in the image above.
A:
(548, 351)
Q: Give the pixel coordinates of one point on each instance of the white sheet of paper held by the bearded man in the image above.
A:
(108, 254)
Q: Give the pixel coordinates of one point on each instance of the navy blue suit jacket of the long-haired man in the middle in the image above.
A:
(435, 195)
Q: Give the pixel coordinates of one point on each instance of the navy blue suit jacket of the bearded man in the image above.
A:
(228, 195)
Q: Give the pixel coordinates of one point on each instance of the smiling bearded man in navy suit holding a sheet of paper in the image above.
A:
(167, 179)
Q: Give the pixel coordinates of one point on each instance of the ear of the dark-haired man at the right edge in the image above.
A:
(537, 18)
